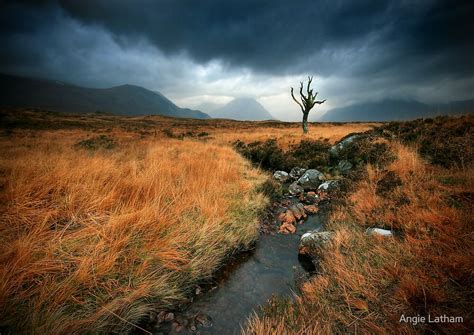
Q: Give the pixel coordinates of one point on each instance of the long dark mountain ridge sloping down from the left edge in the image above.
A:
(57, 96)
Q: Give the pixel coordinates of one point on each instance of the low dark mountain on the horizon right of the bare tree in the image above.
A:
(393, 110)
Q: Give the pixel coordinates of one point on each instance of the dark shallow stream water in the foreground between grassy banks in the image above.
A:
(248, 281)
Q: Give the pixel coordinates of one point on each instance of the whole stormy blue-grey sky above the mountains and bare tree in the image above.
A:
(196, 51)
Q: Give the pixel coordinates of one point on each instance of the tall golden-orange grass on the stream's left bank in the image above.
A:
(91, 239)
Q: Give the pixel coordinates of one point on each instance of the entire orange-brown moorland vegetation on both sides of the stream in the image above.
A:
(104, 218)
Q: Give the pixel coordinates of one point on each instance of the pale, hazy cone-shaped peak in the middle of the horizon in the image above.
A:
(242, 109)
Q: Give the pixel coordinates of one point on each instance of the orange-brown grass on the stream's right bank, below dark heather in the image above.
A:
(367, 283)
